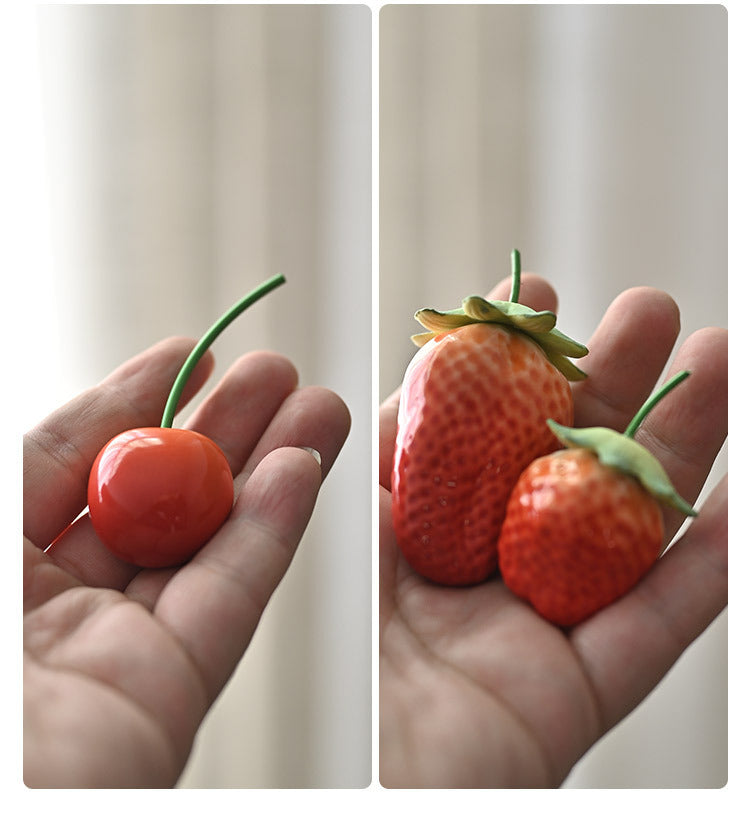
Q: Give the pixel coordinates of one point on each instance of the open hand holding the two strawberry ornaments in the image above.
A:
(476, 689)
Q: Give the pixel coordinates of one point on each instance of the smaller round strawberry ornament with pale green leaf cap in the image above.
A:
(583, 525)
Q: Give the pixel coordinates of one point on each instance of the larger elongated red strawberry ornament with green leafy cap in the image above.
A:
(472, 415)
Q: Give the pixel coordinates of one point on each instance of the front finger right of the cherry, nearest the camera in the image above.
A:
(213, 604)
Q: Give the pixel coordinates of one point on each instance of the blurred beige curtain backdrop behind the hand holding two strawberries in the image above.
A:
(593, 138)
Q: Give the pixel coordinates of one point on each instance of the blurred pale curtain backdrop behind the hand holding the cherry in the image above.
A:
(193, 151)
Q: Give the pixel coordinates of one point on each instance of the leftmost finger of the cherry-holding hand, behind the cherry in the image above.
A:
(58, 453)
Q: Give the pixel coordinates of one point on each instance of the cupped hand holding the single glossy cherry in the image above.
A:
(122, 664)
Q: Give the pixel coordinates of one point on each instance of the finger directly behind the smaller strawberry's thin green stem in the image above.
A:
(687, 428)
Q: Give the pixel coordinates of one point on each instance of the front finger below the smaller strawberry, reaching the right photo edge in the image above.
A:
(629, 646)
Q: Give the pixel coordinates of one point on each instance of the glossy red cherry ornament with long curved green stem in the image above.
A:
(157, 494)
